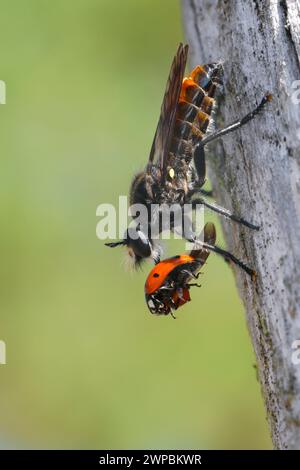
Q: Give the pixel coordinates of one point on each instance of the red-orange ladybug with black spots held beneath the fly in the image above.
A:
(168, 283)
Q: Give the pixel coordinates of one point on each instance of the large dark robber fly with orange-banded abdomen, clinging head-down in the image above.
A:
(175, 171)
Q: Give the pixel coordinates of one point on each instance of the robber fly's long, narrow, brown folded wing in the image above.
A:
(161, 144)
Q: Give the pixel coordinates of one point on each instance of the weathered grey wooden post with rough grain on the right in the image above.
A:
(256, 173)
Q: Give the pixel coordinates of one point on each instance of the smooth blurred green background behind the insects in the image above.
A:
(87, 365)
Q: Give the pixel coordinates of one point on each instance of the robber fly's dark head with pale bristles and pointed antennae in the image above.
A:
(138, 246)
